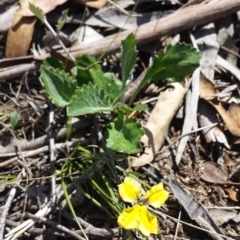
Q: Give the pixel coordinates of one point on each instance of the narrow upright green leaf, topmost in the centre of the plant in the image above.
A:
(128, 57)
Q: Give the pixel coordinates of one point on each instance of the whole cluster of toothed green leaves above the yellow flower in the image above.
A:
(88, 90)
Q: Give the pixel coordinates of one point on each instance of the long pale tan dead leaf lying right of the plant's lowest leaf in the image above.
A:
(157, 126)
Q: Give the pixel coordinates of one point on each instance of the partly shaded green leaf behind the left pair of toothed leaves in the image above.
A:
(87, 70)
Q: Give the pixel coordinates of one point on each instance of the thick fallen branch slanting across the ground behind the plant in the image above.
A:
(176, 22)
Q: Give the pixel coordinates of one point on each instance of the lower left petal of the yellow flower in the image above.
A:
(130, 217)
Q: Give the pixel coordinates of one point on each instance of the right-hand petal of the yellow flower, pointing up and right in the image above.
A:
(156, 196)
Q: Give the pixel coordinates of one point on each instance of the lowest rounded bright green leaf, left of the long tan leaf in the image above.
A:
(124, 135)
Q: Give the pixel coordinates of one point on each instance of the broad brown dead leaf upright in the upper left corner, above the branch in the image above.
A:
(19, 36)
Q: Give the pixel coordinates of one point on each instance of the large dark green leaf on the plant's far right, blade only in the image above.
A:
(178, 62)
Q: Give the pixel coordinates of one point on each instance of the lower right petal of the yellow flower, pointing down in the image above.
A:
(148, 222)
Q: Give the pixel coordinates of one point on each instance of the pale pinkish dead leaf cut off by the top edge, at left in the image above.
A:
(45, 5)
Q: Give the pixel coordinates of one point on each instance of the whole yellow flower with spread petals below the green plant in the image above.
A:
(138, 216)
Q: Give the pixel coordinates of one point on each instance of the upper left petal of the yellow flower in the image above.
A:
(129, 190)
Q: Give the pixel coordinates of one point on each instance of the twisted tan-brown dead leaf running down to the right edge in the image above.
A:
(206, 91)
